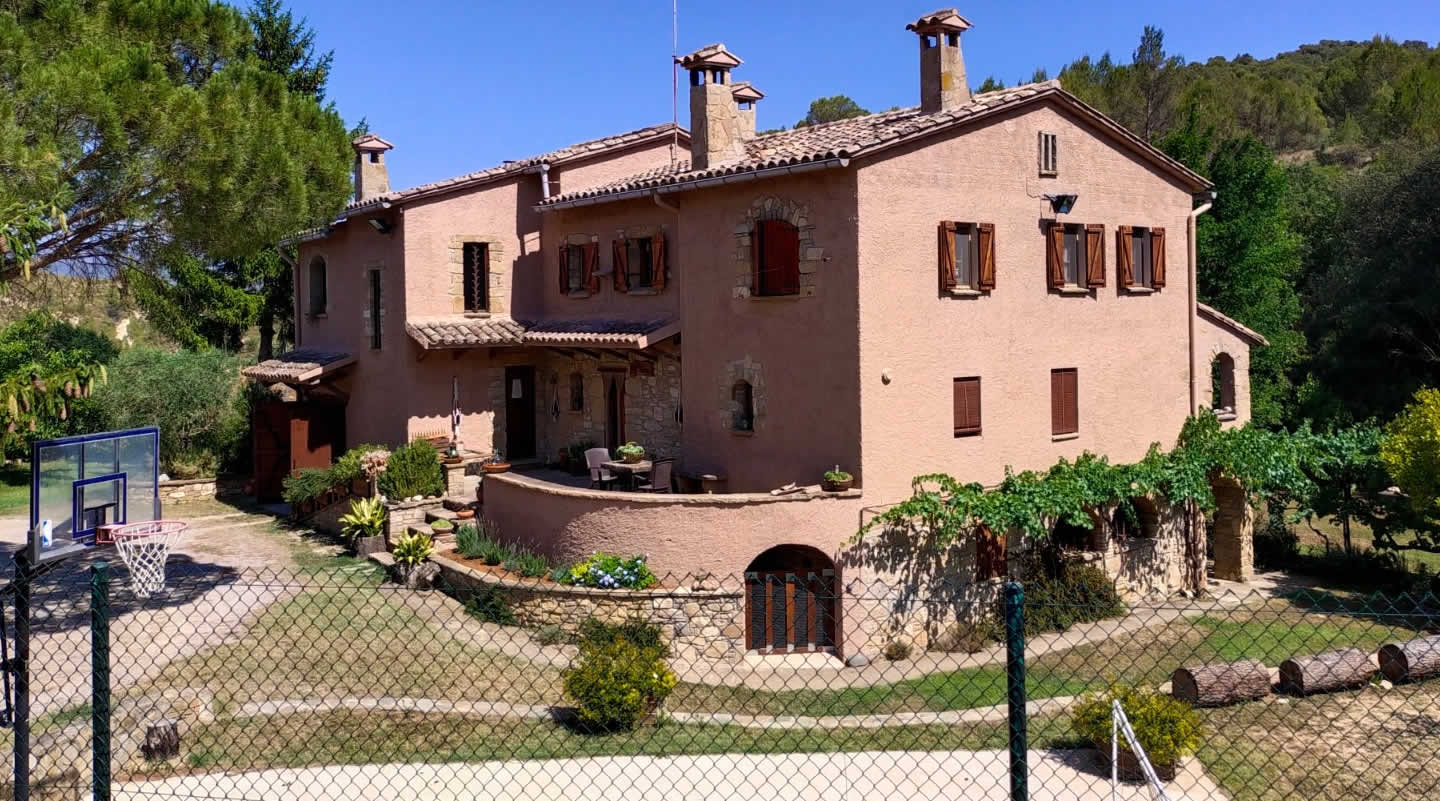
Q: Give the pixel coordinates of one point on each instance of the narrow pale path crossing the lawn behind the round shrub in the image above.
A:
(804, 722)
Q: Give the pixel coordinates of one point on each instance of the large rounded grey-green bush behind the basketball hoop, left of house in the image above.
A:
(194, 397)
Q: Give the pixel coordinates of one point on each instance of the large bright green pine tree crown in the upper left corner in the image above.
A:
(159, 133)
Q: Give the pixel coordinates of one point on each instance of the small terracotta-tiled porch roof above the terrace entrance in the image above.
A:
(485, 332)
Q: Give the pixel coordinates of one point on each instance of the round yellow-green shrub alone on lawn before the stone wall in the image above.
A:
(617, 684)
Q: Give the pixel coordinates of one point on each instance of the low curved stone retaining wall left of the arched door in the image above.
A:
(701, 620)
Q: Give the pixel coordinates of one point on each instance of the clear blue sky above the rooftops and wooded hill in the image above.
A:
(462, 86)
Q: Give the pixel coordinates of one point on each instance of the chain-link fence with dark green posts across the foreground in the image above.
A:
(342, 685)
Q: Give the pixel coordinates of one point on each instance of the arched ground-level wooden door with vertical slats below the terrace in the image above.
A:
(793, 601)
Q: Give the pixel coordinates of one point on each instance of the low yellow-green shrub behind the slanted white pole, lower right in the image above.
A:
(1167, 728)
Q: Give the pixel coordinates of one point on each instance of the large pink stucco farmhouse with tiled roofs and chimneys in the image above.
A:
(968, 285)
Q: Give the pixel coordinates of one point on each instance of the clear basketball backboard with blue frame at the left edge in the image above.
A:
(81, 483)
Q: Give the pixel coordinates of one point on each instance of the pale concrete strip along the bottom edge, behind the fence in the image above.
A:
(944, 776)
